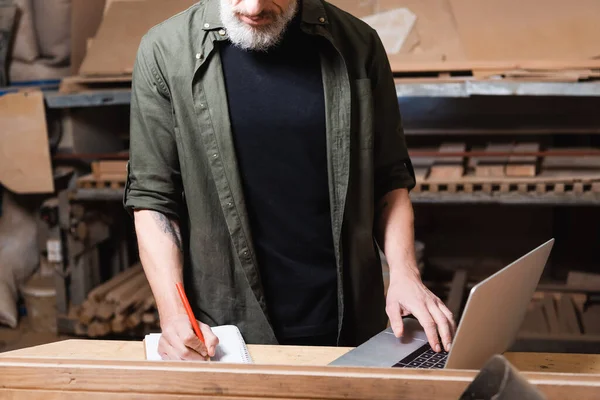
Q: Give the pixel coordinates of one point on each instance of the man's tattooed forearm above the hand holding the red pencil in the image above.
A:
(161, 254)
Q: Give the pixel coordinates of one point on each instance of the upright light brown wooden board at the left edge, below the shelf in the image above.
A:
(25, 165)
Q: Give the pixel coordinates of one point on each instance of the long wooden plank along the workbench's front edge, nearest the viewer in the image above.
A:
(251, 381)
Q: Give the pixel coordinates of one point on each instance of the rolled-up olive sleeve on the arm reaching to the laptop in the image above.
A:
(392, 164)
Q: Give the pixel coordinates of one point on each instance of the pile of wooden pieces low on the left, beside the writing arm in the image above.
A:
(121, 304)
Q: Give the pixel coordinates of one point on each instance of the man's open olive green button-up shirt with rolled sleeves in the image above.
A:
(183, 163)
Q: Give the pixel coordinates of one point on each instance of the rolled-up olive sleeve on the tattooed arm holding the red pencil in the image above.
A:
(153, 172)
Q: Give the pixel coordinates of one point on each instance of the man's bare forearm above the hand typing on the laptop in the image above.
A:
(394, 230)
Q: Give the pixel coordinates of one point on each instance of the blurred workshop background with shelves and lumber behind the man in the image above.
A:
(500, 101)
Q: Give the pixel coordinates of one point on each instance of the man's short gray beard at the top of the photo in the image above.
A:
(255, 38)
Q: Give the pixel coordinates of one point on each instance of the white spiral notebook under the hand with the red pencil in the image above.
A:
(231, 348)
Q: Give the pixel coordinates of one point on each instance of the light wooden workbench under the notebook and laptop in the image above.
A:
(99, 369)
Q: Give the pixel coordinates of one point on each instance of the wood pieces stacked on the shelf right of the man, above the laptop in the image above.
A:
(506, 168)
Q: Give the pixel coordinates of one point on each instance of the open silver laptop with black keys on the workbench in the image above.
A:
(491, 319)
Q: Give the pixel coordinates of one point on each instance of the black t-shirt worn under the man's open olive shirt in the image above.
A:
(277, 114)
